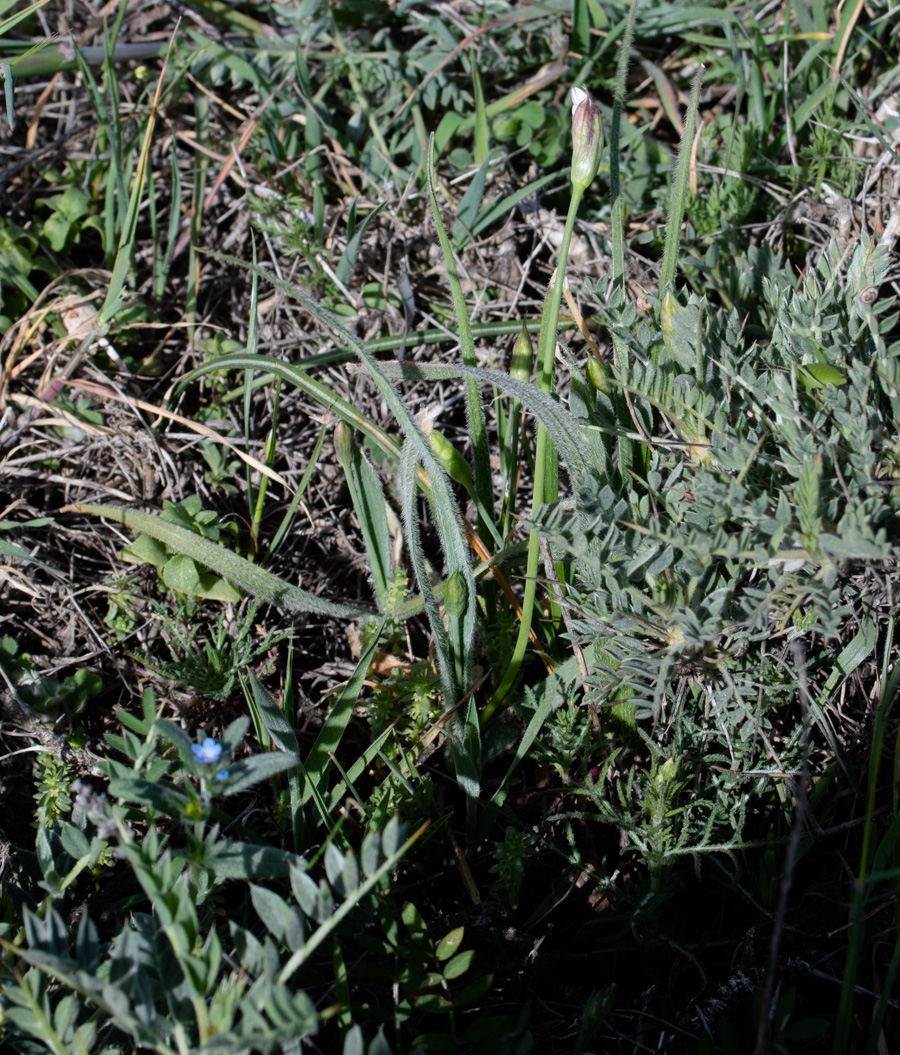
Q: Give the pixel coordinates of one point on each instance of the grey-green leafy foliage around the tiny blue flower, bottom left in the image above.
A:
(175, 981)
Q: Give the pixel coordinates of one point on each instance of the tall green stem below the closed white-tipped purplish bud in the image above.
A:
(546, 478)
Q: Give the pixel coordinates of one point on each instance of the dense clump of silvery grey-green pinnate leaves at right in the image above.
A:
(751, 469)
